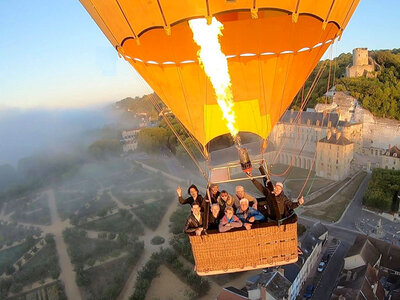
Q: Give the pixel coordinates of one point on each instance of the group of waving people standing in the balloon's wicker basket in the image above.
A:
(219, 210)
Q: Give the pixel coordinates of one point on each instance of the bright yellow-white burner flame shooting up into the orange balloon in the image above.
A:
(215, 65)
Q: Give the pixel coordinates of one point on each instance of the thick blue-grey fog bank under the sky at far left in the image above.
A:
(27, 132)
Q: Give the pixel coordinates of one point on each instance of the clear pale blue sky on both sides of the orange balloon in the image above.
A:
(53, 55)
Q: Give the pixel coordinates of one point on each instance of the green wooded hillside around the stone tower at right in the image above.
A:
(380, 93)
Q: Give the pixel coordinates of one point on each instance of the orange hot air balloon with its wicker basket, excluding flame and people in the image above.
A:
(271, 48)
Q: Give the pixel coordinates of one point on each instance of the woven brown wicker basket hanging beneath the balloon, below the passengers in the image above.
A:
(265, 245)
